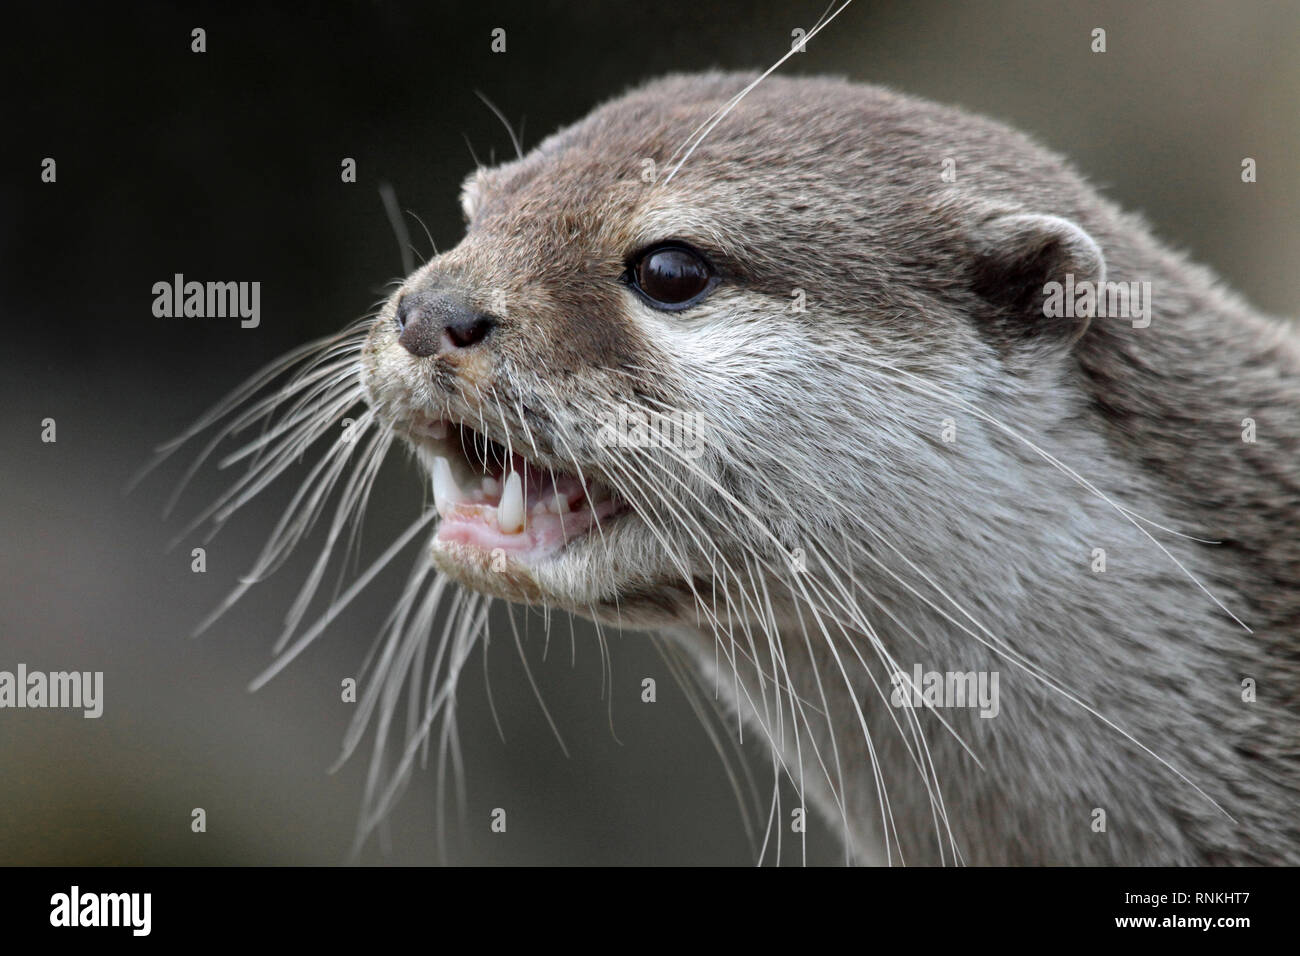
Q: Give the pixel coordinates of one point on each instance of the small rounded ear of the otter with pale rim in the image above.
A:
(1016, 259)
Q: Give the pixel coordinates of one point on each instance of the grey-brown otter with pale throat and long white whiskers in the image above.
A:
(779, 377)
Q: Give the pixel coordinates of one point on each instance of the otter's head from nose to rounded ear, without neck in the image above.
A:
(661, 366)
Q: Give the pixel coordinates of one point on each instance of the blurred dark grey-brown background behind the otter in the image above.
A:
(226, 166)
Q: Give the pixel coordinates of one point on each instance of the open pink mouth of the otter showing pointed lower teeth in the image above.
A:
(489, 498)
